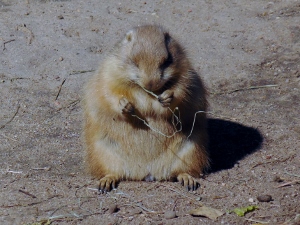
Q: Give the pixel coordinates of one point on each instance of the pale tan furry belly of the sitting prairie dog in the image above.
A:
(140, 153)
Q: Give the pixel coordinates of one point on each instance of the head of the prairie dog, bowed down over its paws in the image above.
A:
(152, 57)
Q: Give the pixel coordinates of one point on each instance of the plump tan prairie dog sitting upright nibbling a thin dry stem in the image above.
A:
(139, 110)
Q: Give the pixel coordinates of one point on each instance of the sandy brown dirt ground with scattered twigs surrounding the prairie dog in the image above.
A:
(248, 54)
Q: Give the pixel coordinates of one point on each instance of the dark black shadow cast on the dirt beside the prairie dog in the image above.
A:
(230, 142)
